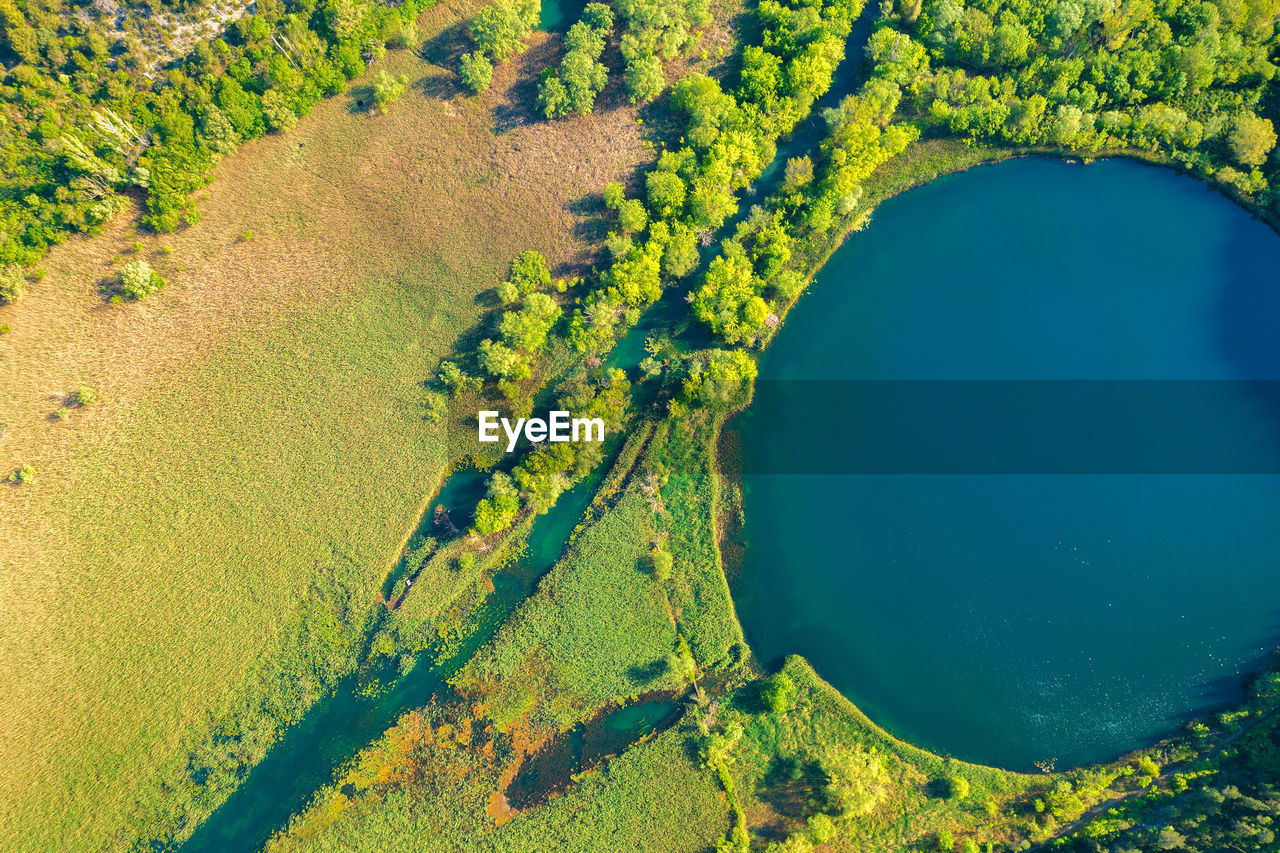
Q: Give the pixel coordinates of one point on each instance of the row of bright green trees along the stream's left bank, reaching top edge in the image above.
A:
(729, 139)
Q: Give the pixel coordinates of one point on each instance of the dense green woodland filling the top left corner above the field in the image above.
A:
(89, 117)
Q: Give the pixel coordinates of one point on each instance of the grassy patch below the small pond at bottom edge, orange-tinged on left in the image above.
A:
(651, 800)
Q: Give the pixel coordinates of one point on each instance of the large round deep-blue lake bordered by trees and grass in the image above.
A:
(1017, 618)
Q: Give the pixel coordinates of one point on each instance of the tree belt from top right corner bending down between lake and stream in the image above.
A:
(1186, 81)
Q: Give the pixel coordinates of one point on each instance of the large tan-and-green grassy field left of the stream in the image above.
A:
(259, 426)
